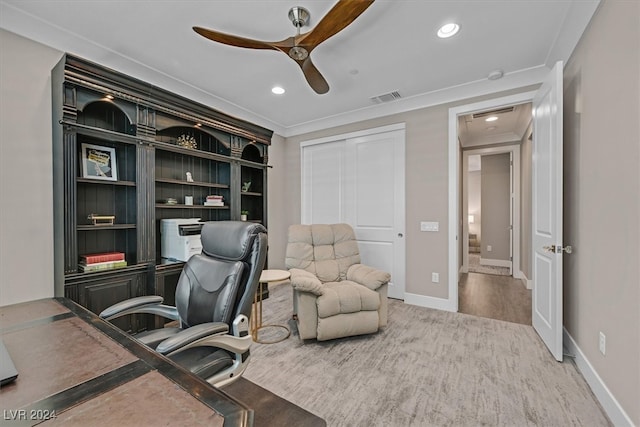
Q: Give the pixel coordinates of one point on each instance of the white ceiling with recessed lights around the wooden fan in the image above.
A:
(392, 45)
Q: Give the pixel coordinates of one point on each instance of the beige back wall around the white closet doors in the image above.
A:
(427, 196)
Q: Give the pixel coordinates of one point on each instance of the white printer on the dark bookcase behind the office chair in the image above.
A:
(180, 238)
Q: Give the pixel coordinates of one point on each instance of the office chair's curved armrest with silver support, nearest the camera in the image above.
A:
(212, 334)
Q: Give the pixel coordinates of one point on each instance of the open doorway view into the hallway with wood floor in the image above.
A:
(492, 144)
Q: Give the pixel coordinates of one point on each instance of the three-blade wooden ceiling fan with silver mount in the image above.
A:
(299, 47)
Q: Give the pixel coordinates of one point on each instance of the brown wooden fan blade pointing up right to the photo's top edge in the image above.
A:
(339, 17)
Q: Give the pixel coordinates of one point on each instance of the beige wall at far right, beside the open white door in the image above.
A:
(602, 196)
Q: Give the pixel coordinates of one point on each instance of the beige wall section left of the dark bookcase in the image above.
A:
(26, 207)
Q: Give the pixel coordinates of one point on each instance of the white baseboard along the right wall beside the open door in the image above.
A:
(614, 411)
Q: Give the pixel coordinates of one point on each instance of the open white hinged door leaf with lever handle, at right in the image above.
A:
(547, 211)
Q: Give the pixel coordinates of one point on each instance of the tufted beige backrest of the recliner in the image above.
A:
(325, 250)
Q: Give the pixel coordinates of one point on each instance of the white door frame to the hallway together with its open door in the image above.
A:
(544, 237)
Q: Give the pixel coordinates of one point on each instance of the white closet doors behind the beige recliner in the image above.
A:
(358, 178)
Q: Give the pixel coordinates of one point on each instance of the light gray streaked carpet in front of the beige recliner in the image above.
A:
(426, 368)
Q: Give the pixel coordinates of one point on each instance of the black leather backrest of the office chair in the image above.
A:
(219, 284)
